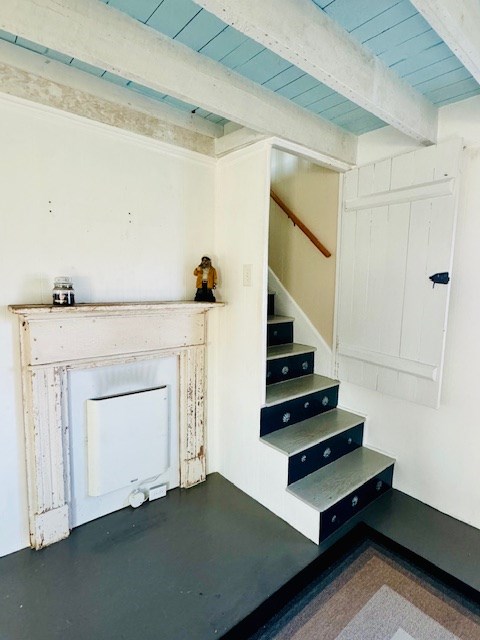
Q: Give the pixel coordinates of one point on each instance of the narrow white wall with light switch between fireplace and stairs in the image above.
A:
(243, 188)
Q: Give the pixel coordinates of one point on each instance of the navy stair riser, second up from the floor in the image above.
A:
(306, 462)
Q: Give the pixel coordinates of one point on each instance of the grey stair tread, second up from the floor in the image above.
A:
(302, 435)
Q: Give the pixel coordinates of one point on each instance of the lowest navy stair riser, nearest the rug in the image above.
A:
(332, 518)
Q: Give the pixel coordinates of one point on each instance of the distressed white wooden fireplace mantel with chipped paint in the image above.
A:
(54, 340)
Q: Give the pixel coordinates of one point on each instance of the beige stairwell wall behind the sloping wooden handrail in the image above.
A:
(305, 275)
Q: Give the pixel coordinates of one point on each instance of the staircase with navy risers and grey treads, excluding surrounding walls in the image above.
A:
(328, 467)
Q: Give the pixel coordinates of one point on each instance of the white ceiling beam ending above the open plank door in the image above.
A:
(298, 31)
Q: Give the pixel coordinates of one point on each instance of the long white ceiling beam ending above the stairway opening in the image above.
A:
(100, 35)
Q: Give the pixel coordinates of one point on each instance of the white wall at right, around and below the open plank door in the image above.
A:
(438, 451)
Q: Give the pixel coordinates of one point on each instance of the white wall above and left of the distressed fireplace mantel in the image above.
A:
(126, 217)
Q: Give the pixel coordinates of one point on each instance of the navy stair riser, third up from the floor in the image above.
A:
(286, 413)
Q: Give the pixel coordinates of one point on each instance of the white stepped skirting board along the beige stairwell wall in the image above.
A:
(305, 332)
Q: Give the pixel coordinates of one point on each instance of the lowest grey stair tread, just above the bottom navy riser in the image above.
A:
(327, 486)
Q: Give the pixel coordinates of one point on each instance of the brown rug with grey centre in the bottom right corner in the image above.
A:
(375, 595)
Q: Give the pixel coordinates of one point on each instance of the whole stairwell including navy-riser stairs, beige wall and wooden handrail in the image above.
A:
(319, 444)
